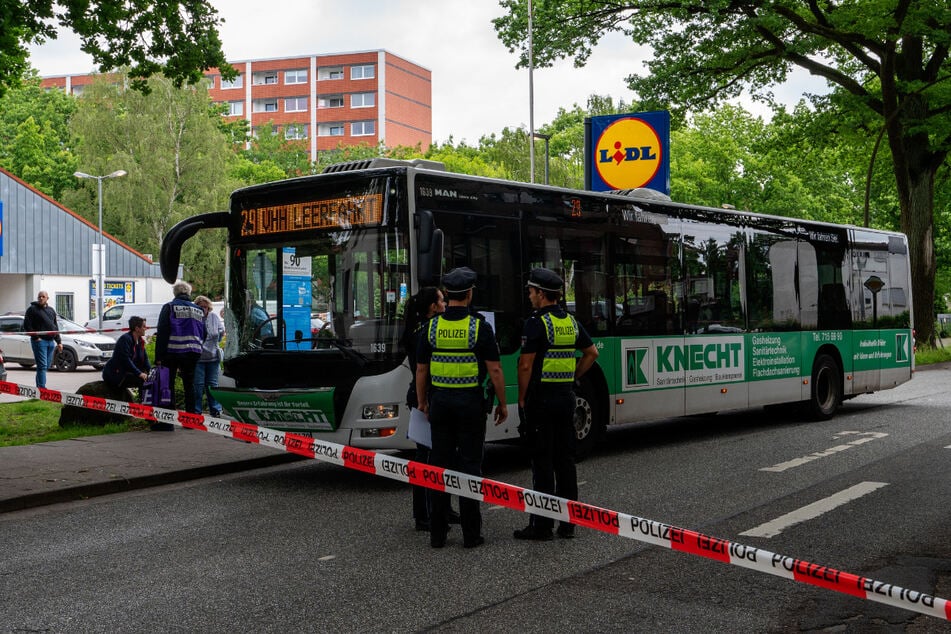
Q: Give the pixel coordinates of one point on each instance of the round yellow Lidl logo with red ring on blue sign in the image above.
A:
(628, 154)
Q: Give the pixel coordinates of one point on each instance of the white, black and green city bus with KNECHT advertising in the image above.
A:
(693, 309)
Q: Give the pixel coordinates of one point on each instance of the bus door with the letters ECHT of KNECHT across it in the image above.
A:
(714, 349)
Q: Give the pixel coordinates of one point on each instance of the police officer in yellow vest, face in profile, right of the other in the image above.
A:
(547, 370)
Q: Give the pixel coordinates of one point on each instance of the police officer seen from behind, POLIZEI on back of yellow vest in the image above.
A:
(454, 356)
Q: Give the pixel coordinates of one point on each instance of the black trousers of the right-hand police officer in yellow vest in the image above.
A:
(551, 443)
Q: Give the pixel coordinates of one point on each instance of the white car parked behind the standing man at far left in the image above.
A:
(80, 346)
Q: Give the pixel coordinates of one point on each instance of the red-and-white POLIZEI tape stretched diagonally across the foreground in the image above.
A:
(517, 498)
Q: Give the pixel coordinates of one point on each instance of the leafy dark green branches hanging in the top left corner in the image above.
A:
(177, 37)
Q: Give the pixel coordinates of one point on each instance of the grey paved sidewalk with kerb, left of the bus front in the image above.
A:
(70, 470)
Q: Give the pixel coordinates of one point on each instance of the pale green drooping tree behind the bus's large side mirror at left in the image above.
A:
(177, 159)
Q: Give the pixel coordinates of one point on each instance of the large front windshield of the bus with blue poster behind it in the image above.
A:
(339, 290)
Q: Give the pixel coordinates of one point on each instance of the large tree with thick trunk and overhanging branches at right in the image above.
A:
(886, 58)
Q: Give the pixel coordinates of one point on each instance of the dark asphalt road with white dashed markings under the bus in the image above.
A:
(312, 547)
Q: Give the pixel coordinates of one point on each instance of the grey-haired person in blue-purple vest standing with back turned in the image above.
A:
(178, 342)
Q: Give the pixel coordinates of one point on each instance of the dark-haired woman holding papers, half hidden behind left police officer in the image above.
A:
(420, 308)
